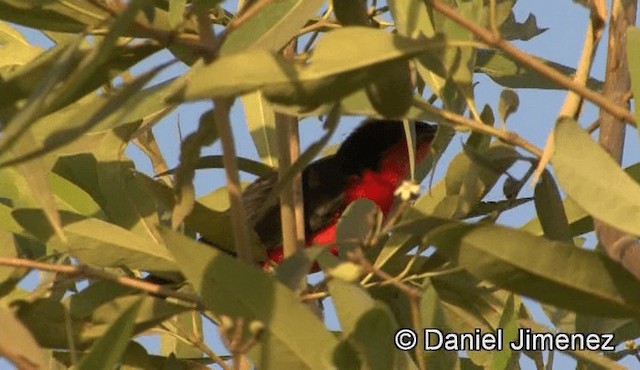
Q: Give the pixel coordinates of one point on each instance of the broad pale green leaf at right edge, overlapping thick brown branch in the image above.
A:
(593, 179)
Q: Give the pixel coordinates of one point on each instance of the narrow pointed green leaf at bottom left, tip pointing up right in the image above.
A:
(107, 351)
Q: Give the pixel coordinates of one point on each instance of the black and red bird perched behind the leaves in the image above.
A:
(371, 163)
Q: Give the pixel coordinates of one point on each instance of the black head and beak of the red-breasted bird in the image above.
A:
(365, 147)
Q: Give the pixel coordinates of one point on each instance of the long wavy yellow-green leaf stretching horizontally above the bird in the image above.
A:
(316, 82)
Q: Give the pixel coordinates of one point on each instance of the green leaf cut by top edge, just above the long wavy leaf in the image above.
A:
(272, 27)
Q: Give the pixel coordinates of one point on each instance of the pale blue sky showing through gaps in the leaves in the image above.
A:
(534, 119)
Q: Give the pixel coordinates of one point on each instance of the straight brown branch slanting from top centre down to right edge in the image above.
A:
(491, 39)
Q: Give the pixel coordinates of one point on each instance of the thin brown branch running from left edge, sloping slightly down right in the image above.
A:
(86, 272)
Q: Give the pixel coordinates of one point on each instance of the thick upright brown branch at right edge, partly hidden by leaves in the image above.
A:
(618, 245)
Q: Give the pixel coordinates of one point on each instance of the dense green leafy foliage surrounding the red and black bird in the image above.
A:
(75, 206)
